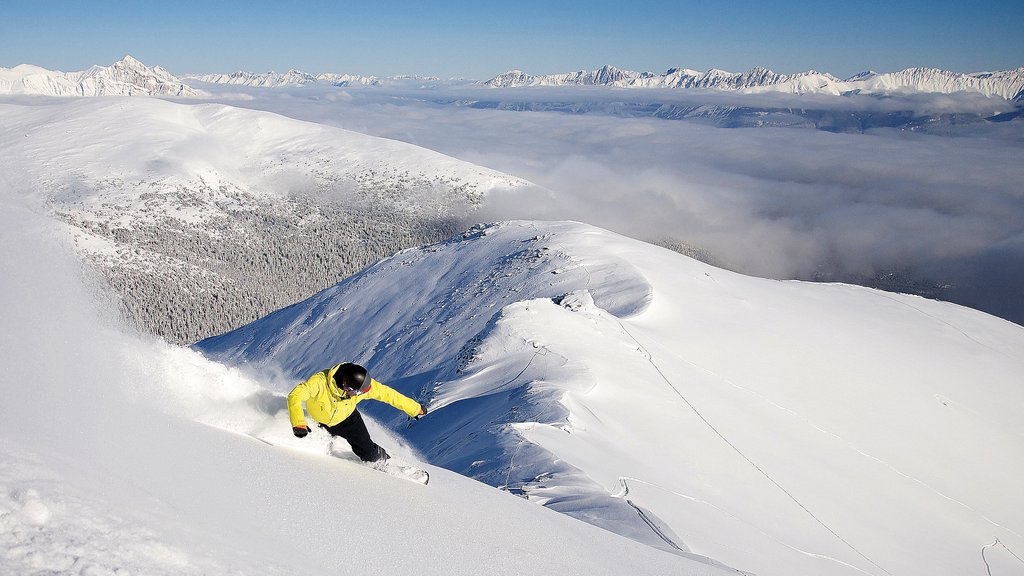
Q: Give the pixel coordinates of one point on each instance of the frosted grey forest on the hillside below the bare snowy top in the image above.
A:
(188, 276)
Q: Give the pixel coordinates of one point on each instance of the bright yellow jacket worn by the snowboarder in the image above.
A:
(330, 405)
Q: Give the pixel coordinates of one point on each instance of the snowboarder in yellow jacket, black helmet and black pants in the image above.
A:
(331, 397)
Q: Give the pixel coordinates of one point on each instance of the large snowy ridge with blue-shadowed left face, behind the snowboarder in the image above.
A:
(779, 428)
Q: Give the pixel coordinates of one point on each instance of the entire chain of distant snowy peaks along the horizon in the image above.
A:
(131, 77)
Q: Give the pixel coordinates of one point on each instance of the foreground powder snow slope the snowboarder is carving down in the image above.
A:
(114, 464)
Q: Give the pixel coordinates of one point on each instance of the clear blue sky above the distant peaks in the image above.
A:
(482, 39)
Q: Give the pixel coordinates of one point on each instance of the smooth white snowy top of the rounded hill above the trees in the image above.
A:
(159, 143)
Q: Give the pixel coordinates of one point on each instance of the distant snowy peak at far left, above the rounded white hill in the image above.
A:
(127, 77)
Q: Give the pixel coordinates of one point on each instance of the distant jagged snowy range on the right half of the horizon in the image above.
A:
(1008, 85)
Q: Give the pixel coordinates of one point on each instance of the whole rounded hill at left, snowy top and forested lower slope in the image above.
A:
(204, 218)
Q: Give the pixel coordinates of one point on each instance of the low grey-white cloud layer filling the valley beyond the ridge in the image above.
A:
(937, 215)
